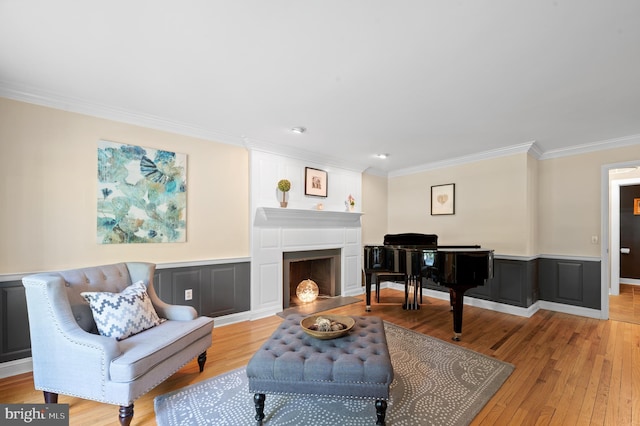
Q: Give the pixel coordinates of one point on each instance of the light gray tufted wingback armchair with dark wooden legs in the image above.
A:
(71, 354)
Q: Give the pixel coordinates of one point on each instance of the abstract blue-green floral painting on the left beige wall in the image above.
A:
(142, 195)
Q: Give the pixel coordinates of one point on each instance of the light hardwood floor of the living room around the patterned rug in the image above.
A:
(569, 370)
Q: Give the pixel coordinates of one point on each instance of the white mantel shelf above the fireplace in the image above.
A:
(298, 218)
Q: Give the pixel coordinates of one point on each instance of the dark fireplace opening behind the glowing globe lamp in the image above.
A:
(320, 266)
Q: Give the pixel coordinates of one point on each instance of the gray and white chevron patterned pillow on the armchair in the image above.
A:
(120, 315)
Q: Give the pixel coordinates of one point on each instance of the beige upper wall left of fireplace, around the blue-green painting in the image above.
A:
(48, 193)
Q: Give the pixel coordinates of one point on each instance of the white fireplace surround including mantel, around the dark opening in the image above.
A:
(277, 231)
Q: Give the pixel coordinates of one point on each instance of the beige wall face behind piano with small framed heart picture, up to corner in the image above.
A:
(492, 204)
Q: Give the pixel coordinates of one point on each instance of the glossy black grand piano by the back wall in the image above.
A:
(414, 257)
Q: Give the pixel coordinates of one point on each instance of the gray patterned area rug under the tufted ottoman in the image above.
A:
(436, 383)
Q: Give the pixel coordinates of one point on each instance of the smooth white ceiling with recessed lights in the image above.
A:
(425, 81)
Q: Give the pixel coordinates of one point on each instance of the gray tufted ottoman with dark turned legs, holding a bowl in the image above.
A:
(292, 362)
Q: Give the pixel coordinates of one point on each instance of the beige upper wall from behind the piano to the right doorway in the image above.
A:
(516, 205)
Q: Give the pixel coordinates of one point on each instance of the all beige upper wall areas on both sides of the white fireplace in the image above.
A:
(516, 205)
